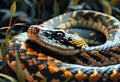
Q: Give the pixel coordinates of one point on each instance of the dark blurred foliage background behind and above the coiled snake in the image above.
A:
(23, 13)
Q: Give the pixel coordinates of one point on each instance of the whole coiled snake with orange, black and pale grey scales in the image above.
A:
(49, 53)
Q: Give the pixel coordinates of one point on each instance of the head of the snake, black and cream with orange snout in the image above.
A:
(56, 40)
